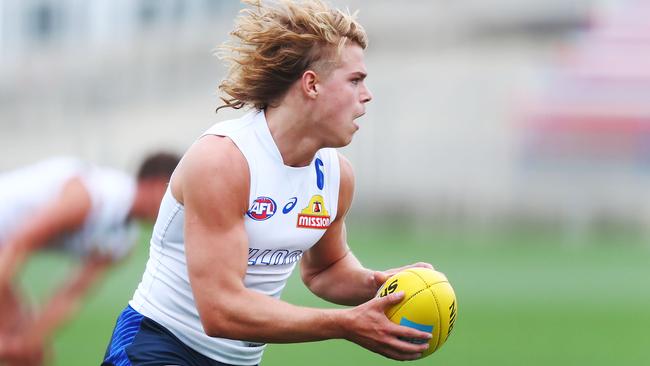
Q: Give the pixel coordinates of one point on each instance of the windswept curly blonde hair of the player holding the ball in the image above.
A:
(276, 43)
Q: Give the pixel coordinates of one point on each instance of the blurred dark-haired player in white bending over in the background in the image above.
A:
(67, 205)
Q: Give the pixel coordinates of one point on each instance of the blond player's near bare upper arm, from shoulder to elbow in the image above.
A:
(214, 185)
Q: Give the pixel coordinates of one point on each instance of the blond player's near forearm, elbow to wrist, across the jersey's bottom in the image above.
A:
(251, 316)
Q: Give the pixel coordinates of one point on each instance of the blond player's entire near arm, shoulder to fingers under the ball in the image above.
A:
(212, 182)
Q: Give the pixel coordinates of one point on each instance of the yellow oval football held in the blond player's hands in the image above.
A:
(429, 304)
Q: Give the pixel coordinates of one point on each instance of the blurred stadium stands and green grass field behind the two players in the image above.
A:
(508, 143)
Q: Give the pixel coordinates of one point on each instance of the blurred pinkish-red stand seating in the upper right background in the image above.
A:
(595, 104)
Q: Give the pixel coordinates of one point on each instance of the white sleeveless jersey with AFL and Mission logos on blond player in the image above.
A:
(289, 211)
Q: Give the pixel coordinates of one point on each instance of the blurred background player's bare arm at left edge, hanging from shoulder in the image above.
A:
(65, 213)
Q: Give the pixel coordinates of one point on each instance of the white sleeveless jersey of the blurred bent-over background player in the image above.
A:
(106, 230)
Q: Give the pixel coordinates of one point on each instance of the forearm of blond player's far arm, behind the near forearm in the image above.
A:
(346, 282)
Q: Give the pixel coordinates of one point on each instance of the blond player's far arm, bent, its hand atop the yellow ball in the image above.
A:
(330, 270)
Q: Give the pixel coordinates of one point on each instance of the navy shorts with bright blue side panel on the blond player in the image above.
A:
(140, 341)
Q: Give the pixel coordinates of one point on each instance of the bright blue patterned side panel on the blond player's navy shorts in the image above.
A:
(126, 328)
